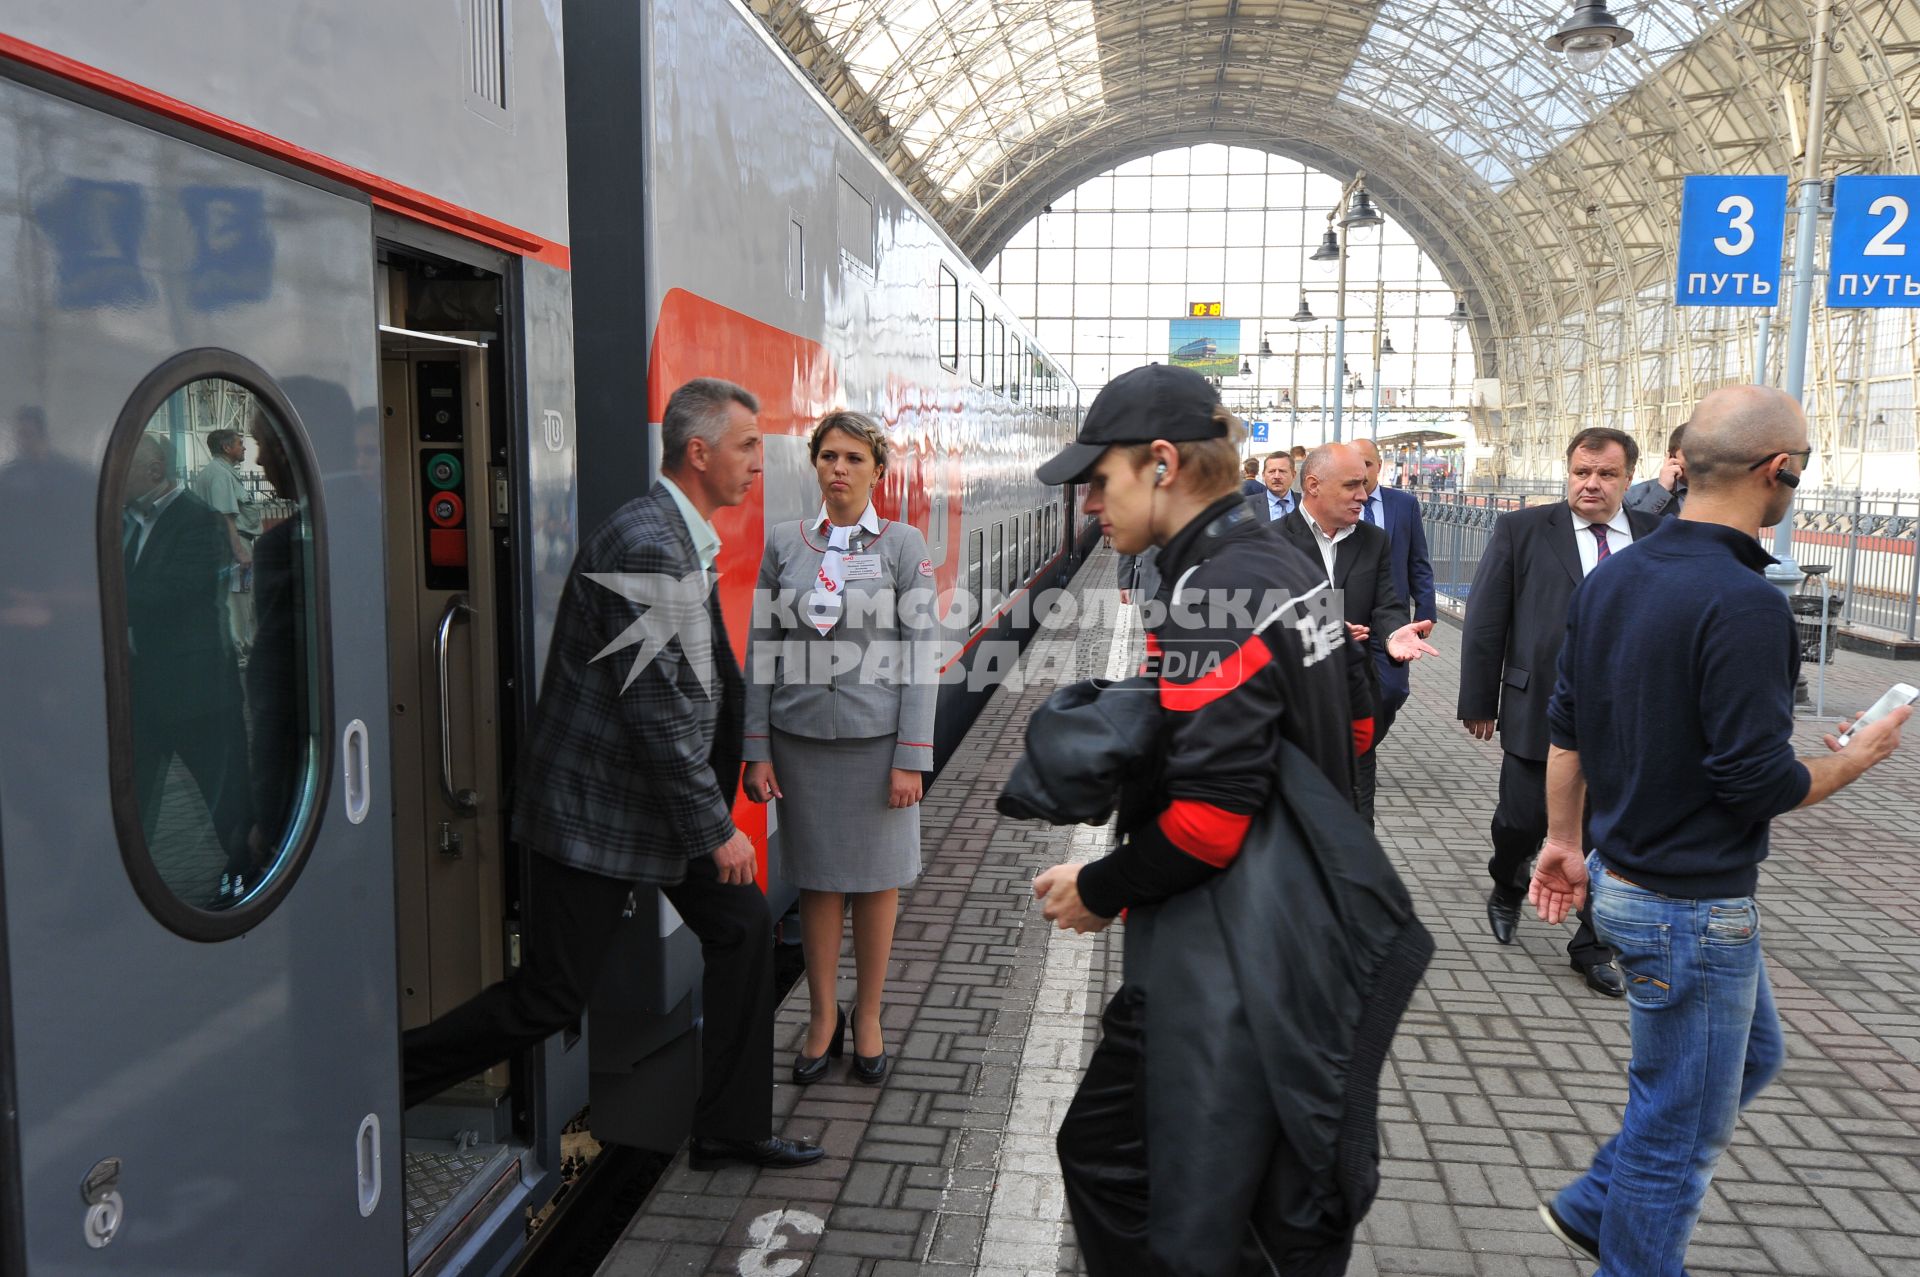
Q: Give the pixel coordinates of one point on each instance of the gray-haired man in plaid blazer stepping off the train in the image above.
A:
(629, 779)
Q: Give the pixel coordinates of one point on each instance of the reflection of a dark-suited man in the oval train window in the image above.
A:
(185, 679)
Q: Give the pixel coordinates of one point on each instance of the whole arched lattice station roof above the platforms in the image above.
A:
(1548, 197)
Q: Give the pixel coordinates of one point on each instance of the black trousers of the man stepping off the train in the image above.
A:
(571, 921)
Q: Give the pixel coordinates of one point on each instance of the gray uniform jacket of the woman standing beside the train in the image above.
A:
(875, 673)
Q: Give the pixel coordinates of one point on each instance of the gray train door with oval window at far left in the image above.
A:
(195, 836)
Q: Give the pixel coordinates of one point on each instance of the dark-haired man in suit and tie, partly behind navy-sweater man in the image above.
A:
(1516, 623)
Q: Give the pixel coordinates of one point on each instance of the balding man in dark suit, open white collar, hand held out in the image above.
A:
(1356, 562)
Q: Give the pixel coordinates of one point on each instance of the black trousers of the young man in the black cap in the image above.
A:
(1103, 1151)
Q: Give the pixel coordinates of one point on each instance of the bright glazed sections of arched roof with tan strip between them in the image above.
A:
(969, 82)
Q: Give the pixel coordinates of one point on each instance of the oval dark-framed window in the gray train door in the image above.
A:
(218, 667)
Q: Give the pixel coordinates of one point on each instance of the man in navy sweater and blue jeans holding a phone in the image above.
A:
(1673, 715)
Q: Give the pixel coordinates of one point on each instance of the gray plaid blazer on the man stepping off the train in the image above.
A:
(631, 773)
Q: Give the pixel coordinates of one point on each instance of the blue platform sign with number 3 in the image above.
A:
(1731, 237)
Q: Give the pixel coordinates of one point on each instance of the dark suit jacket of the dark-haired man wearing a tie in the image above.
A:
(1518, 619)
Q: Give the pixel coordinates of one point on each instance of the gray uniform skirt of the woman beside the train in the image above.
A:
(836, 829)
